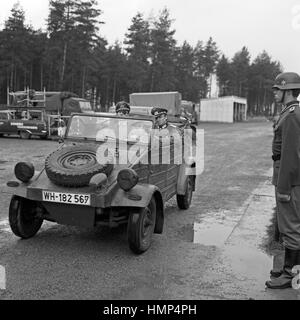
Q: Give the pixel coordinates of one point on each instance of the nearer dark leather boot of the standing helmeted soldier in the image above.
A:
(291, 259)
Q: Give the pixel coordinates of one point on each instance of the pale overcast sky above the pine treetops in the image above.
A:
(271, 25)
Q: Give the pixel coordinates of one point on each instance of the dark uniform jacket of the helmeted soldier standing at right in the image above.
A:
(286, 149)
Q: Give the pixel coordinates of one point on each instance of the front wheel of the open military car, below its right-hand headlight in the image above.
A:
(141, 227)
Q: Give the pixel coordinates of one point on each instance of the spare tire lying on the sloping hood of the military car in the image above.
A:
(74, 166)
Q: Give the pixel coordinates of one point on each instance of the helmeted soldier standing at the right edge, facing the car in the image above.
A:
(286, 175)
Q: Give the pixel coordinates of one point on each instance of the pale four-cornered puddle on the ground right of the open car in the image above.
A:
(214, 234)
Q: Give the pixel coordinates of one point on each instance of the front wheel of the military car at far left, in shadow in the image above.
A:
(23, 218)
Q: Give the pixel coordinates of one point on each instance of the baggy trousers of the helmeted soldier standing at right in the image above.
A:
(288, 217)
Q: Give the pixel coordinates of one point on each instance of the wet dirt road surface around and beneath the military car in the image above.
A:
(71, 263)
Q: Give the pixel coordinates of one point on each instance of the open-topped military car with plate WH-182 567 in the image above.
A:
(108, 171)
